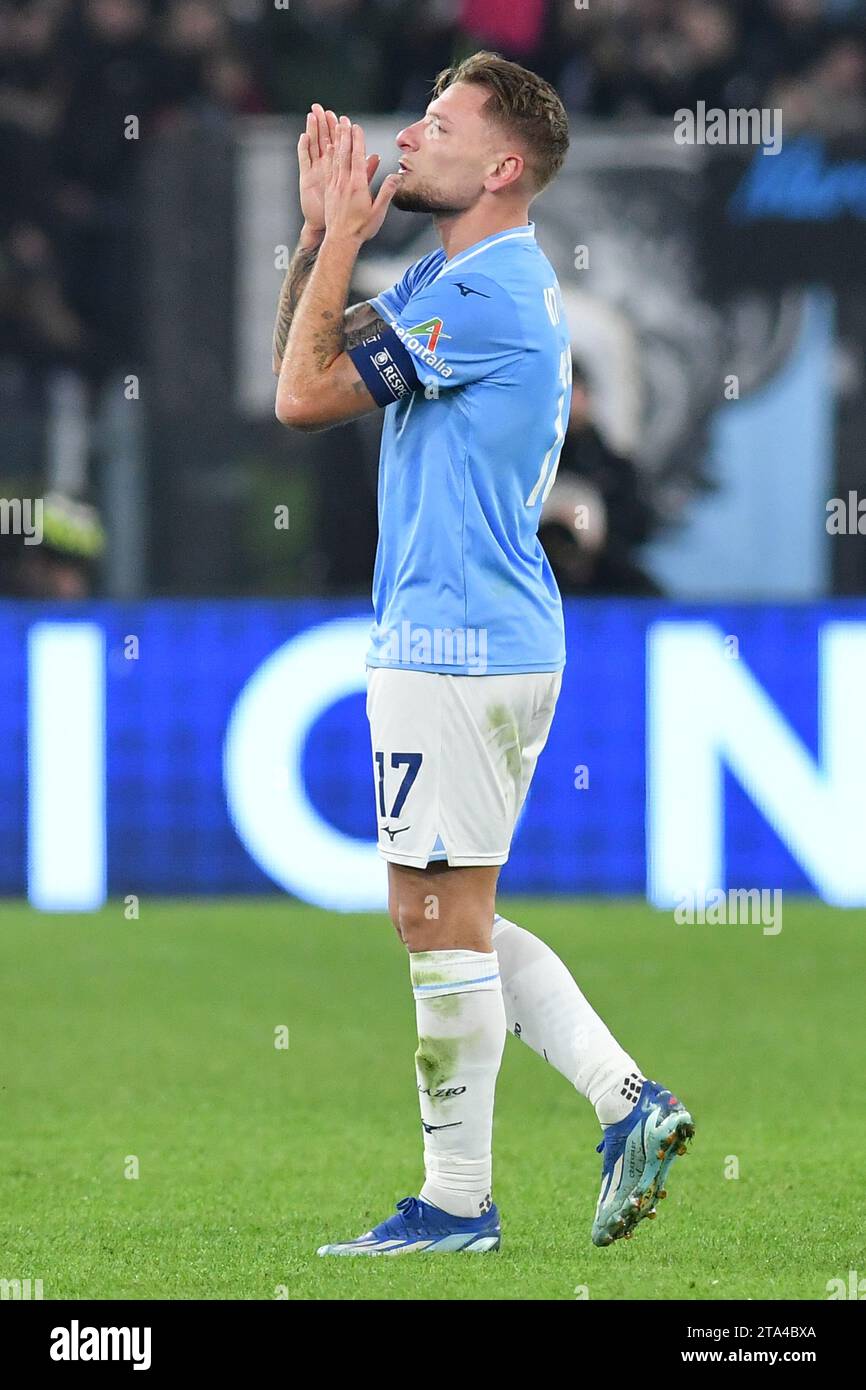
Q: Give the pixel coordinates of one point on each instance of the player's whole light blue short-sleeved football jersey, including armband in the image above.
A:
(476, 373)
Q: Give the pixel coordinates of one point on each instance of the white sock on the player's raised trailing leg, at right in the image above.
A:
(547, 1010)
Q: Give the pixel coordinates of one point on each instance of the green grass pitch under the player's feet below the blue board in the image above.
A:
(155, 1040)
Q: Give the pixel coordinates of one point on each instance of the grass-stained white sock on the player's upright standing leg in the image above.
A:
(462, 1033)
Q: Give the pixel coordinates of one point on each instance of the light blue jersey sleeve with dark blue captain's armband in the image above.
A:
(450, 334)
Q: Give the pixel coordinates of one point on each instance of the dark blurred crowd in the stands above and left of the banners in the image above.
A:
(84, 84)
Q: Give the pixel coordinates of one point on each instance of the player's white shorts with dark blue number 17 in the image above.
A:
(452, 761)
